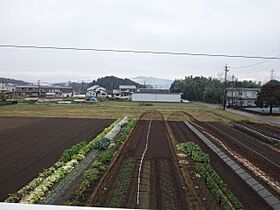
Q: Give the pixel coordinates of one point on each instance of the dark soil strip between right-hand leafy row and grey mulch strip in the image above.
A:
(249, 198)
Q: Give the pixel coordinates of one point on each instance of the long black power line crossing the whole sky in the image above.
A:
(138, 51)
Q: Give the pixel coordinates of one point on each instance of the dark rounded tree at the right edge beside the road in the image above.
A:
(269, 96)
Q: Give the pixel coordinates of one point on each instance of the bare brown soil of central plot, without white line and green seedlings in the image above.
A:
(165, 190)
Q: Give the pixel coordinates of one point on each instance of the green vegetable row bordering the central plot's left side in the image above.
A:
(92, 176)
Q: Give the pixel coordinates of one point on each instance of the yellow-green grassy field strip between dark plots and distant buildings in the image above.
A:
(116, 109)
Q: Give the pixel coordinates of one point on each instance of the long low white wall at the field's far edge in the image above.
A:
(156, 97)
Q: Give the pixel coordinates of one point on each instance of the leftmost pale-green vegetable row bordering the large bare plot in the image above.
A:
(38, 187)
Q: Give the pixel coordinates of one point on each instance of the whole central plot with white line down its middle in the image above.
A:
(144, 175)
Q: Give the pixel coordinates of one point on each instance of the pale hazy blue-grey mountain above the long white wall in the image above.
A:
(155, 82)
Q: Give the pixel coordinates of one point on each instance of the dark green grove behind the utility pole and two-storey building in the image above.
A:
(205, 89)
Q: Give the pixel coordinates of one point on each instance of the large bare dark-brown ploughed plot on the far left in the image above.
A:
(27, 148)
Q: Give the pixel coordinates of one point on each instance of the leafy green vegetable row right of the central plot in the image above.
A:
(214, 183)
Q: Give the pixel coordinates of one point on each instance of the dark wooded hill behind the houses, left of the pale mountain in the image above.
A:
(111, 82)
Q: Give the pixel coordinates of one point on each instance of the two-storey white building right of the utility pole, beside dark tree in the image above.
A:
(242, 97)
